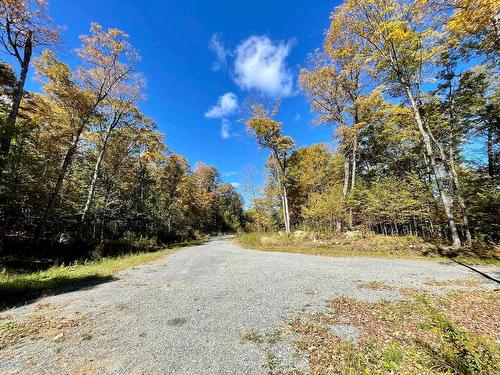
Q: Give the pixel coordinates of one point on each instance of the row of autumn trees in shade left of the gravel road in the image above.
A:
(79, 161)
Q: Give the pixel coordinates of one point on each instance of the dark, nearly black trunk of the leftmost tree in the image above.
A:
(9, 129)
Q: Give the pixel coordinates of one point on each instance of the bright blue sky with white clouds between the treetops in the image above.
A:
(264, 44)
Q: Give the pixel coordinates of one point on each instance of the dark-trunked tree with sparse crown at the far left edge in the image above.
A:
(24, 26)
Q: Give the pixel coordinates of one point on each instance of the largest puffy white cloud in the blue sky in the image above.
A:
(260, 65)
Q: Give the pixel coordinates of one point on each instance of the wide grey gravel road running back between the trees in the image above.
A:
(189, 313)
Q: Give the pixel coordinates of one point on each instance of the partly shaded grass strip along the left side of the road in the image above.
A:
(16, 287)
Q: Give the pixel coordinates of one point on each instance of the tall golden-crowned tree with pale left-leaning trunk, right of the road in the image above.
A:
(399, 39)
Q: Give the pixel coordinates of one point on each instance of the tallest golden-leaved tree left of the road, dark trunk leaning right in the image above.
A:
(108, 61)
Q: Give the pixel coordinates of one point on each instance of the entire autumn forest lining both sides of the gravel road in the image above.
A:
(409, 90)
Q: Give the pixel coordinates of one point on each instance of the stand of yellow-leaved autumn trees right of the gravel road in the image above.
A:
(411, 90)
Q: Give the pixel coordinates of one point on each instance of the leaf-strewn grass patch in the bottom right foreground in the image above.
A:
(453, 334)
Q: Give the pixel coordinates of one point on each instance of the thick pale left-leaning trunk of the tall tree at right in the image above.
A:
(430, 153)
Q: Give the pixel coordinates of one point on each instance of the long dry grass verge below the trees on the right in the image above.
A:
(377, 246)
